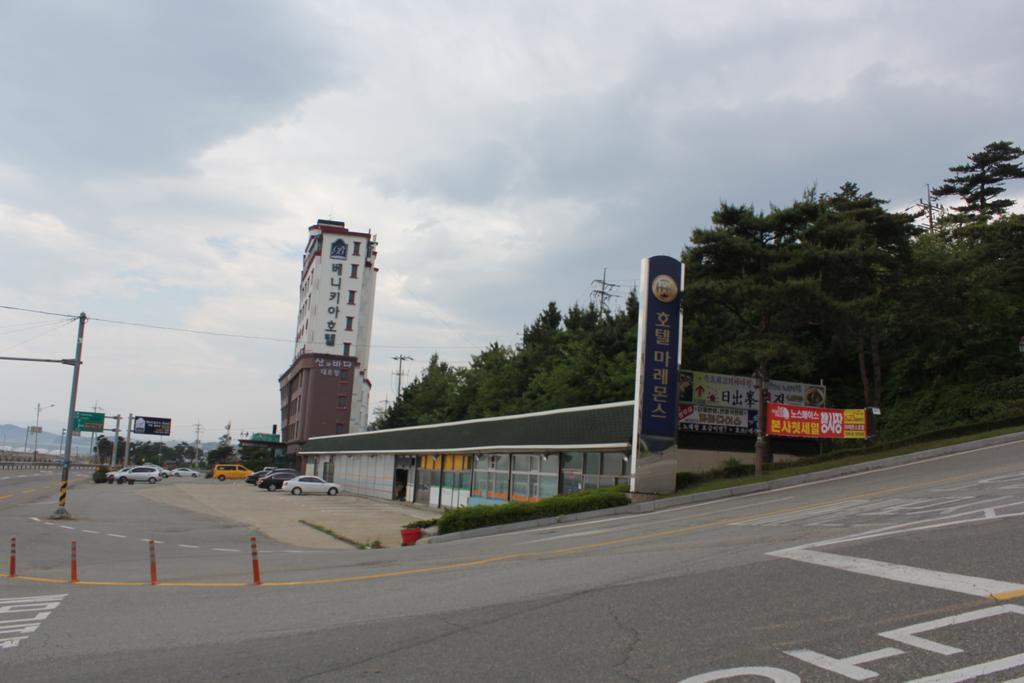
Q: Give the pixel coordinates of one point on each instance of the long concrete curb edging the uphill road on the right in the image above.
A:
(679, 501)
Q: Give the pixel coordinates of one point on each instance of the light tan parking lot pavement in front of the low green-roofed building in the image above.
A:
(361, 521)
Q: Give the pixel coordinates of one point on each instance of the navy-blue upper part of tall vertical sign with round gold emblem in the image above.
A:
(659, 346)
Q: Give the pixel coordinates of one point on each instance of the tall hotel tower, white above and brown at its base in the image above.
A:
(326, 390)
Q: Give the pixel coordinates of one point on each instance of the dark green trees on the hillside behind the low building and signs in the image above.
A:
(918, 315)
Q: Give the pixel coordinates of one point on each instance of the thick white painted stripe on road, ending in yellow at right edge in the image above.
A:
(902, 573)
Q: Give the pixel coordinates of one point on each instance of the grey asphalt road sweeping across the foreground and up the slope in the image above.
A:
(910, 574)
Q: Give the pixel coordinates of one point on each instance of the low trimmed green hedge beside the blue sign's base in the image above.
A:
(461, 520)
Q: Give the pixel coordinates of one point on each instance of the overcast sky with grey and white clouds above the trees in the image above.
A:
(160, 163)
